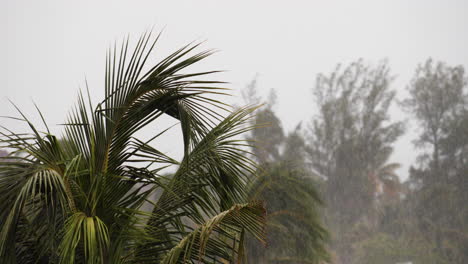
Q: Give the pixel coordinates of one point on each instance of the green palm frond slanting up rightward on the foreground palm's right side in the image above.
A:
(212, 178)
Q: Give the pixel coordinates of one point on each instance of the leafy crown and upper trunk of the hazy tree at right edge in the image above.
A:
(437, 99)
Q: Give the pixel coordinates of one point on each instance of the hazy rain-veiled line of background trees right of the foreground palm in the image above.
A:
(345, 151)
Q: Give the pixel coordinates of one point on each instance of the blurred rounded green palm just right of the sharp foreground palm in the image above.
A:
(296, 233)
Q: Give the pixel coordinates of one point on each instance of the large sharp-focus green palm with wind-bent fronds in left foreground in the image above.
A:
(77, 198)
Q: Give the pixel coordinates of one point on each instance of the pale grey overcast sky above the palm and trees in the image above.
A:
(49, 48)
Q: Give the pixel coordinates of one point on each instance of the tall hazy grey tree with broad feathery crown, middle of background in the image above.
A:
(350, 140)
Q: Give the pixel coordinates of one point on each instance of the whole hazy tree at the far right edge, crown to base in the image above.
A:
(438, 99)
